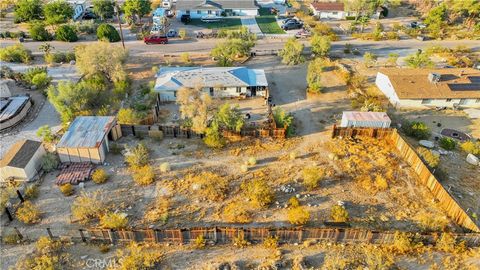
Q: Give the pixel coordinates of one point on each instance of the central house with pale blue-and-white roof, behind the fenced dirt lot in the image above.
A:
(217, 81)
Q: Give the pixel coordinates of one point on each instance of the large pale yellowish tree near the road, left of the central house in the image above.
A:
(103, 58)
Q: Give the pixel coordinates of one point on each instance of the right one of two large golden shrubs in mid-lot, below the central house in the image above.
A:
(258, 192)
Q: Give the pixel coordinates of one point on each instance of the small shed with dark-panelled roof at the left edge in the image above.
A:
(22, 162)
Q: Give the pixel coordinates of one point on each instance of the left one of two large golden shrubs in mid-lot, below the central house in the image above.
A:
(211, 186)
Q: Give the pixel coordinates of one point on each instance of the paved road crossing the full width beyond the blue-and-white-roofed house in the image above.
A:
(383, 48)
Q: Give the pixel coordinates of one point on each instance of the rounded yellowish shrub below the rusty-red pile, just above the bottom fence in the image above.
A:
(87, 206)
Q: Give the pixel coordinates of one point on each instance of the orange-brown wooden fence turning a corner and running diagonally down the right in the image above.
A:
(426, 178)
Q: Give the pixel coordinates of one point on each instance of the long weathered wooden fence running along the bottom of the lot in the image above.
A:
(227, 235)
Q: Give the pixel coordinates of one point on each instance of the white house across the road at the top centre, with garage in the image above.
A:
(200, 8)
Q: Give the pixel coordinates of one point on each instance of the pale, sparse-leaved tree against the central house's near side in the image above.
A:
(195, 106)
